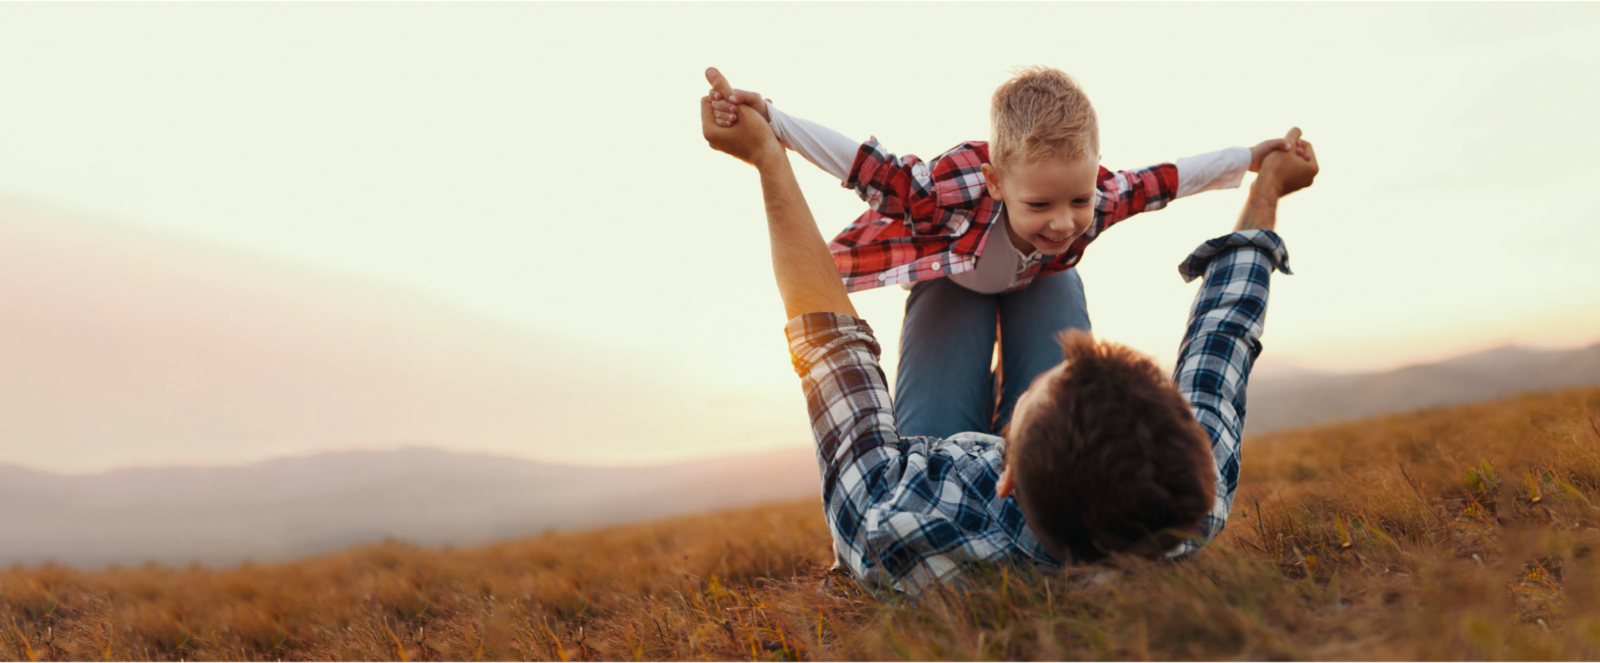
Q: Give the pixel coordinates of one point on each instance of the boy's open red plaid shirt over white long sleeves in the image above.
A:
(934, 220)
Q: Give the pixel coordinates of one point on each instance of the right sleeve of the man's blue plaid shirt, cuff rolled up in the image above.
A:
(1222, 345)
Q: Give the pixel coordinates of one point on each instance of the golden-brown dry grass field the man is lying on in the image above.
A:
(1450, 534)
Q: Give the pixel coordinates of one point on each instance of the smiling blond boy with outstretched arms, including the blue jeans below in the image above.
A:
(1006, 222)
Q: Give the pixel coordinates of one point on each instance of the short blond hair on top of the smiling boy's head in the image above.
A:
(1041, 113)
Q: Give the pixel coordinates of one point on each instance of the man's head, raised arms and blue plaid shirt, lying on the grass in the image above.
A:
(1106, 456)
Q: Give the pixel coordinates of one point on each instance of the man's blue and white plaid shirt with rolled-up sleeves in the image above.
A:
(906, 512)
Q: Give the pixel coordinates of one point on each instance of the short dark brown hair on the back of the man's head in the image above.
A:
(1111, 459)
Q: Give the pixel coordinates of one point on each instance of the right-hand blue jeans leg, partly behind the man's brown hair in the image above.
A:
(1030, 323)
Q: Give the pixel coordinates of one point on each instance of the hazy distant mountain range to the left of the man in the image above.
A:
(297, 507)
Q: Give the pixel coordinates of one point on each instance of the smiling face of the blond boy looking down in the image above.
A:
(1049, 203)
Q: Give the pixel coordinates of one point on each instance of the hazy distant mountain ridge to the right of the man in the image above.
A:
(1290, 400)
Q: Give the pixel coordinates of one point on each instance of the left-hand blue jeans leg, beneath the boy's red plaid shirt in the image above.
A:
(943, 385)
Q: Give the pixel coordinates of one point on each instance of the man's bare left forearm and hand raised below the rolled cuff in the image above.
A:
(807, 278)
